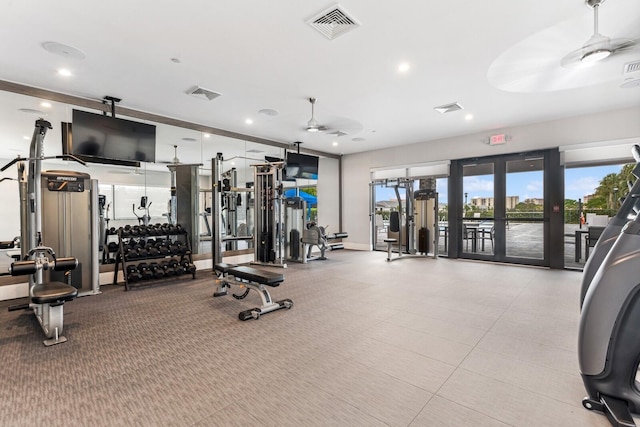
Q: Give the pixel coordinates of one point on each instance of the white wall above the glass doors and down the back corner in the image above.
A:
(597, 128)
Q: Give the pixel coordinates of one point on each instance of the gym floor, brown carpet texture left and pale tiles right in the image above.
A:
(417, 342)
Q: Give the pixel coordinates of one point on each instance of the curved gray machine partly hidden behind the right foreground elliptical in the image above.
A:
(628, 210)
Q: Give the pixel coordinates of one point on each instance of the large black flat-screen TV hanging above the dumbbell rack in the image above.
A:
(103, 139)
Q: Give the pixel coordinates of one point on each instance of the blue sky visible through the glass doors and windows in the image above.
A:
(579, 182)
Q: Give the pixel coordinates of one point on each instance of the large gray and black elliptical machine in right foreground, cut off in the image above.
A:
(609, 336)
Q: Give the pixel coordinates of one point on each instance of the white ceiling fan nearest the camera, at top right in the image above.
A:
(598, 47)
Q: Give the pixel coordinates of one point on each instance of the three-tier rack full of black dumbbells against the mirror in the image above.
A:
(154, 253)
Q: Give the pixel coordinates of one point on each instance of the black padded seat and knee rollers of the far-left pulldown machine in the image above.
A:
(47, 299)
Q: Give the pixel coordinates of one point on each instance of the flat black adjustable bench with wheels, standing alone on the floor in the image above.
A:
(251, 278)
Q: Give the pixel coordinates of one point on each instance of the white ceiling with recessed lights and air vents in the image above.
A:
(263, 55)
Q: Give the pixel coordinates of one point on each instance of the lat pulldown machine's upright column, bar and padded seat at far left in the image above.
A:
(46, 299)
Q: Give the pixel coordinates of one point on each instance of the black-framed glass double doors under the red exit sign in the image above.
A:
(502, 215)
